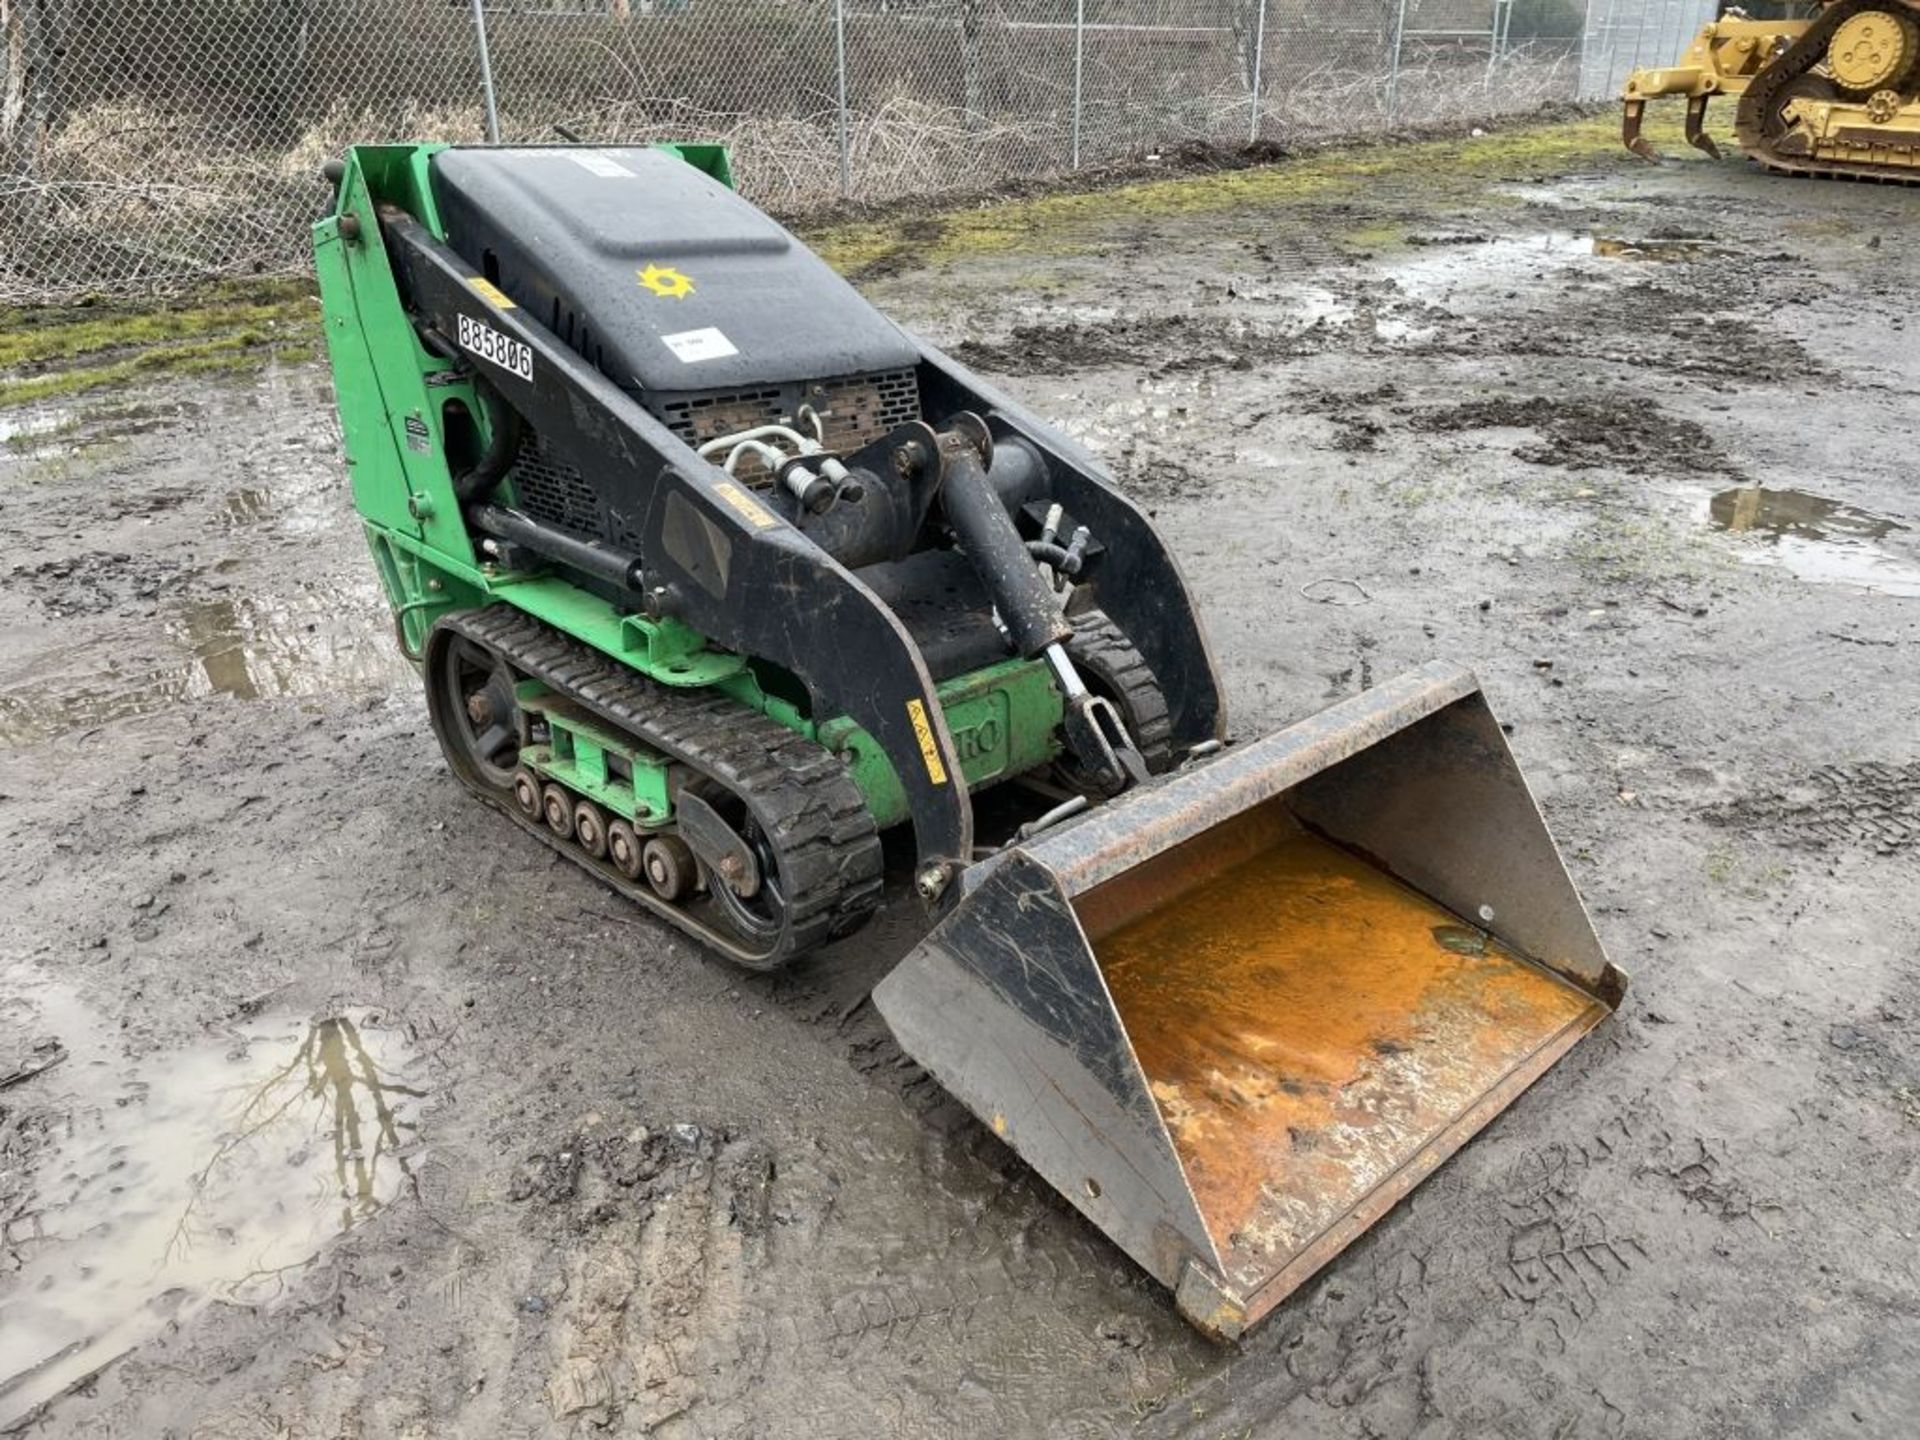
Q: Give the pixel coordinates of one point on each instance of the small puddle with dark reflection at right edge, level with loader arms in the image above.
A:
(1815, 539)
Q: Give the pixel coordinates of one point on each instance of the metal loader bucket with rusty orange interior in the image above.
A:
(1237, 1015)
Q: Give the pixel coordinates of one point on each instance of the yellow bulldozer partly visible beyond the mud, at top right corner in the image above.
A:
(1835, 93)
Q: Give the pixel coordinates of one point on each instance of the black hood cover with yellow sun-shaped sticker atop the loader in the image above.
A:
(654, 272)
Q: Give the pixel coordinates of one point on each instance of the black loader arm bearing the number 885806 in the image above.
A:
(719, 560)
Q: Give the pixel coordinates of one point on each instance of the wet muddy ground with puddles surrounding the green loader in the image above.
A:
(333, 1107)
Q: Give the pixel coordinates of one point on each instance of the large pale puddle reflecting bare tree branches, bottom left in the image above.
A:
(210, 1174)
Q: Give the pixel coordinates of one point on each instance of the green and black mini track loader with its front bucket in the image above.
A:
(713, 575)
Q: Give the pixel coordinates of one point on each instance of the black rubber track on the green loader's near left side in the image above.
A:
(804, 798)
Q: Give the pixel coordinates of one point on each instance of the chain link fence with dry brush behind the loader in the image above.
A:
(153, 145)
